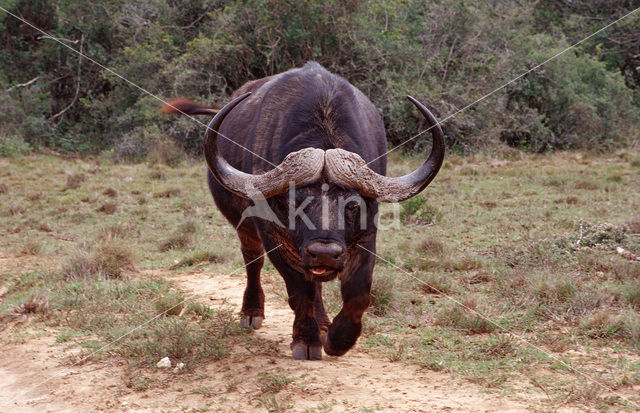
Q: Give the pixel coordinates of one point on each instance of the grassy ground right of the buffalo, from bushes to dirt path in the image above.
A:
(545, 270)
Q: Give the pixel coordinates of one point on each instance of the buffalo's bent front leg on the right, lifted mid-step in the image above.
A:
(347, 325)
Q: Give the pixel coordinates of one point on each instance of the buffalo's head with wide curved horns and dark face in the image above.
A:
(331, 195)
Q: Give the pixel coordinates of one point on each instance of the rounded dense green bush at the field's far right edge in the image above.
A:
(572, 102)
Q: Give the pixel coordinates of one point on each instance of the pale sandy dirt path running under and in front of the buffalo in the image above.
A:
(352, 383)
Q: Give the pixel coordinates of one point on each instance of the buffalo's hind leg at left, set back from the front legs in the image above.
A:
(253, 254)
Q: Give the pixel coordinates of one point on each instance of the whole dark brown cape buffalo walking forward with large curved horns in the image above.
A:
(309, 148)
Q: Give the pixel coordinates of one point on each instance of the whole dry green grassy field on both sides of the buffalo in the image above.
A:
(495, 253)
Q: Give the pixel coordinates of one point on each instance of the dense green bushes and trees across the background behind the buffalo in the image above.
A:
(447, 53)
